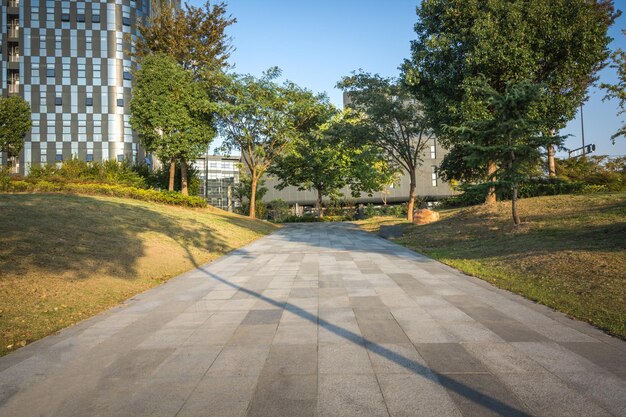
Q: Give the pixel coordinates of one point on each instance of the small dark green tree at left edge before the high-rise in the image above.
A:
(15, 122)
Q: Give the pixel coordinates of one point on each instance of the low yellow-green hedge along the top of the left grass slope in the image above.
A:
(164, 197)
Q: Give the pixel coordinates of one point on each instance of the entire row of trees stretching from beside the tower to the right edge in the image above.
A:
(491, 80)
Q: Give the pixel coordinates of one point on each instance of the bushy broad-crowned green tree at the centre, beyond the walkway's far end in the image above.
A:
(325, 159)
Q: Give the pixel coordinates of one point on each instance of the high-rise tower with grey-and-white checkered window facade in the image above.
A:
(73, 62)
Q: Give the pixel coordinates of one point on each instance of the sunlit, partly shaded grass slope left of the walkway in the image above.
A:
(64, 258)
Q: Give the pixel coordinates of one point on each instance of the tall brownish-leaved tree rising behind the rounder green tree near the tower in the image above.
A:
(195, 37)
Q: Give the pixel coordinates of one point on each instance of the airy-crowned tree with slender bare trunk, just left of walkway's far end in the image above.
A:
(262, 118)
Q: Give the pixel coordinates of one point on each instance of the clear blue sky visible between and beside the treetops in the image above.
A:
(315, 43)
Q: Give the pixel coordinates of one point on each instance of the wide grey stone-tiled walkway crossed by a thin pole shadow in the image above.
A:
(320, 320)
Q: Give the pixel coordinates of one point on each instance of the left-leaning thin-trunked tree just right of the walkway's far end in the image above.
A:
(393, 120)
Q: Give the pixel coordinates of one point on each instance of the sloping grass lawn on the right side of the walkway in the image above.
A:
(569, 254)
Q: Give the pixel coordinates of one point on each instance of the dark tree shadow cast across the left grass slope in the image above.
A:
(82, 236)
